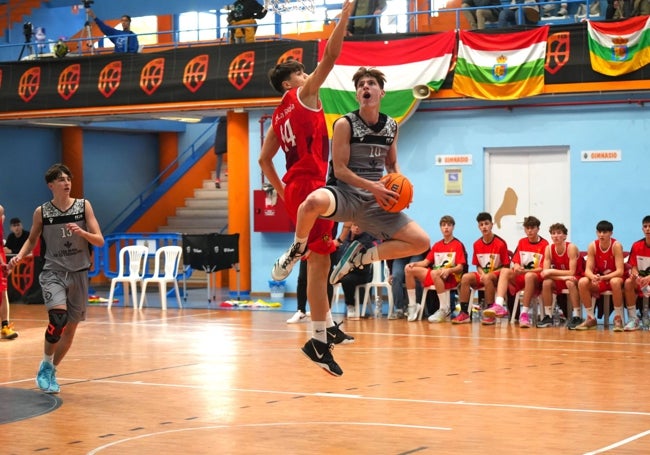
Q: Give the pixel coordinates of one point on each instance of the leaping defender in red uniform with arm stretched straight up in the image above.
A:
(298, 127)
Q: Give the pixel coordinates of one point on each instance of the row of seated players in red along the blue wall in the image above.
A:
(538, 271)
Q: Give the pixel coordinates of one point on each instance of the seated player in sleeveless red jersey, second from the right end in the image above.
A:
(603, 272)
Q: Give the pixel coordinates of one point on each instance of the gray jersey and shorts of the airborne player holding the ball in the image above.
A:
(368, 148)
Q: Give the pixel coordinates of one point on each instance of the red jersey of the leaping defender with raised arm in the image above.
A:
(302, 133)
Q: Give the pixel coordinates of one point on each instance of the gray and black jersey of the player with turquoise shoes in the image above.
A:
(63, 250)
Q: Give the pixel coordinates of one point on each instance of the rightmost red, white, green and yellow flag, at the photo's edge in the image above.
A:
(617, 48)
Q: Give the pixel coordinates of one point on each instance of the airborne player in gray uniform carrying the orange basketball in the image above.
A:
(364, 144)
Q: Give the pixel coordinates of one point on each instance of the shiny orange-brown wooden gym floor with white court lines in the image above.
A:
(206, 381)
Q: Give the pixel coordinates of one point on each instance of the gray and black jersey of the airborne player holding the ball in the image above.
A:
(369, 146)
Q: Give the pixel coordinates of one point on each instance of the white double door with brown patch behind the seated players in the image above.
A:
(524, 181)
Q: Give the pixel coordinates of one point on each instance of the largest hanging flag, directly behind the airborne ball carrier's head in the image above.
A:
(406, 63)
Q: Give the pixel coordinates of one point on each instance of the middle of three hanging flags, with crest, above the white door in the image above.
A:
(503, 66)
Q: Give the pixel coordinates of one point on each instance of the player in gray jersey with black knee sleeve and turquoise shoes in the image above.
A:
(68, 226)
